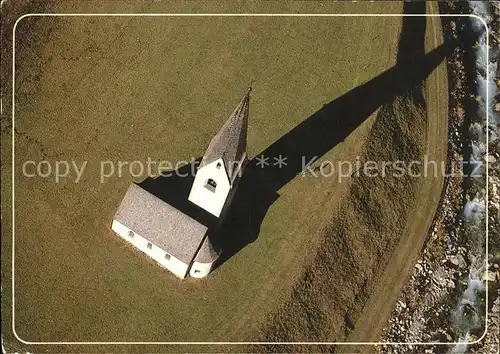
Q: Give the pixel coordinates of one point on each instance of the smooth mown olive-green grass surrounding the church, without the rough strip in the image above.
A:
(127, 93)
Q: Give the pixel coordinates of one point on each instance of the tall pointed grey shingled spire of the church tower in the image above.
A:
(230, 142)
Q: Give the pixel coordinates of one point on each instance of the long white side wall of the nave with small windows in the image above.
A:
(173, 264)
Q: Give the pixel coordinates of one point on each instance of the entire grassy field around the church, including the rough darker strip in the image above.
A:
(122, 89)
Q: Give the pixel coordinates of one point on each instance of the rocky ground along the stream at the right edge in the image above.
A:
(443, 300)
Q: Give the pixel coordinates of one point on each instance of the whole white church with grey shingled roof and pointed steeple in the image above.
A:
(175, 240)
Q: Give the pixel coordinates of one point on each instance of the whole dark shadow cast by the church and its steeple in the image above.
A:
(311, 139)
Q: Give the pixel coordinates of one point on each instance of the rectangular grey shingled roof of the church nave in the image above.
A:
(161, 224)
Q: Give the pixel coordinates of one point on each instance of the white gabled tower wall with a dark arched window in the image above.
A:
(211, 201)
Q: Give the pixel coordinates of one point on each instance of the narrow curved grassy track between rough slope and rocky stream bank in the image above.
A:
(378, 309)
